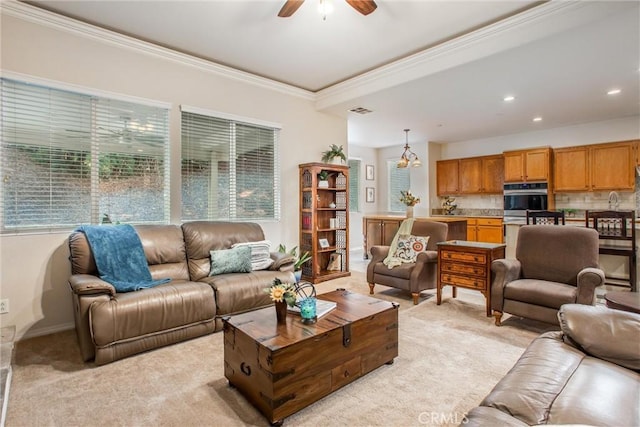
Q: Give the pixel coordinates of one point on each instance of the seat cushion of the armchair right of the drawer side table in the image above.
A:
(540, 292)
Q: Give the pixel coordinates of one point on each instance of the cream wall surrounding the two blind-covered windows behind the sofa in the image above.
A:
(34, 268)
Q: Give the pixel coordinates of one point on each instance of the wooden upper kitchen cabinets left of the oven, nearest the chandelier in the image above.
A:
(473, 175)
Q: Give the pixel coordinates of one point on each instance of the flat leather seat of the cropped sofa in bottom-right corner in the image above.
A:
(555, 383)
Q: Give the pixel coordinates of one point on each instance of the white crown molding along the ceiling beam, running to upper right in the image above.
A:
(535, 23)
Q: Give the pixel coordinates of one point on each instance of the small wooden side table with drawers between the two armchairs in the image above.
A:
(467, 265)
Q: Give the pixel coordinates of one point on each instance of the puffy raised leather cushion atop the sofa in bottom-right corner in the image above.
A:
(602, 332)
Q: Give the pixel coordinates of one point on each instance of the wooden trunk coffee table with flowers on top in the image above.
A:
(281, 369)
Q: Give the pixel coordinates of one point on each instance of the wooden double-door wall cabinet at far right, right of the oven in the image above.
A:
(600, 167)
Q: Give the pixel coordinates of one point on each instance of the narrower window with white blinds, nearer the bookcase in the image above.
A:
(229, 168)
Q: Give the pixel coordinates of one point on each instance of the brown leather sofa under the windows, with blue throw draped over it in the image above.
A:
(112, 325)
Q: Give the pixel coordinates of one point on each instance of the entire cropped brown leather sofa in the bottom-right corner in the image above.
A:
(586, 374)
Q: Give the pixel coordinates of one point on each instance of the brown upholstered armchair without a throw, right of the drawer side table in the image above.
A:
(554, 265)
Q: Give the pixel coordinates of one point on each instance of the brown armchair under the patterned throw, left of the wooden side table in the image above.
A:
(413, 277)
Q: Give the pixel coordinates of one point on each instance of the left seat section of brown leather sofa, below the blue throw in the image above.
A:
(132, 315)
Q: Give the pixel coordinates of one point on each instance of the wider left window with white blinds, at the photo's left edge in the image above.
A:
(69, 158)
